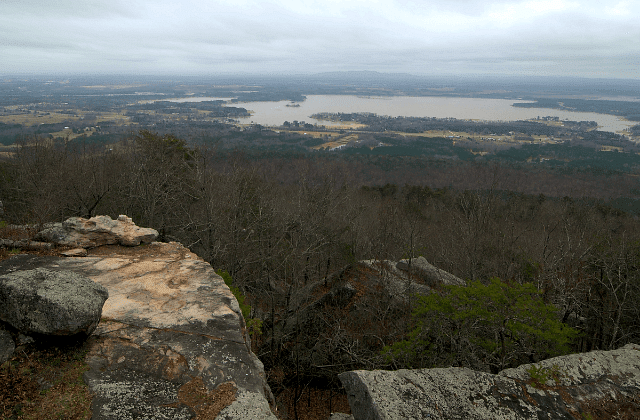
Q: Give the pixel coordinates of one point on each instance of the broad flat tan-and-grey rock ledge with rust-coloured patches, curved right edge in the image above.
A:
(172, 342)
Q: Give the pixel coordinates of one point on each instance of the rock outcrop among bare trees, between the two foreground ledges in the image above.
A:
(362, 289)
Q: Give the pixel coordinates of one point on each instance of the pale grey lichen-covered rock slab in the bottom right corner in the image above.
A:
(575, 385)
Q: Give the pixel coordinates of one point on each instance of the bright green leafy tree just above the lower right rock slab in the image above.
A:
(486, 327)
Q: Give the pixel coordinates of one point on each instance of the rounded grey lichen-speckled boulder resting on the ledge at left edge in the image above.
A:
(51, 302)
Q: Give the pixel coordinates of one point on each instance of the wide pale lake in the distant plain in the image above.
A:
(275, 113)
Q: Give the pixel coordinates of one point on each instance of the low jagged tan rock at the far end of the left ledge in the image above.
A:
(97, 231)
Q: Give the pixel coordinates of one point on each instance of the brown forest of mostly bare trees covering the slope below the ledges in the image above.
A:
(282, 225)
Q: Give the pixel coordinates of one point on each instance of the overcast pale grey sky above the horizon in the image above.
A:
(585, 38)
